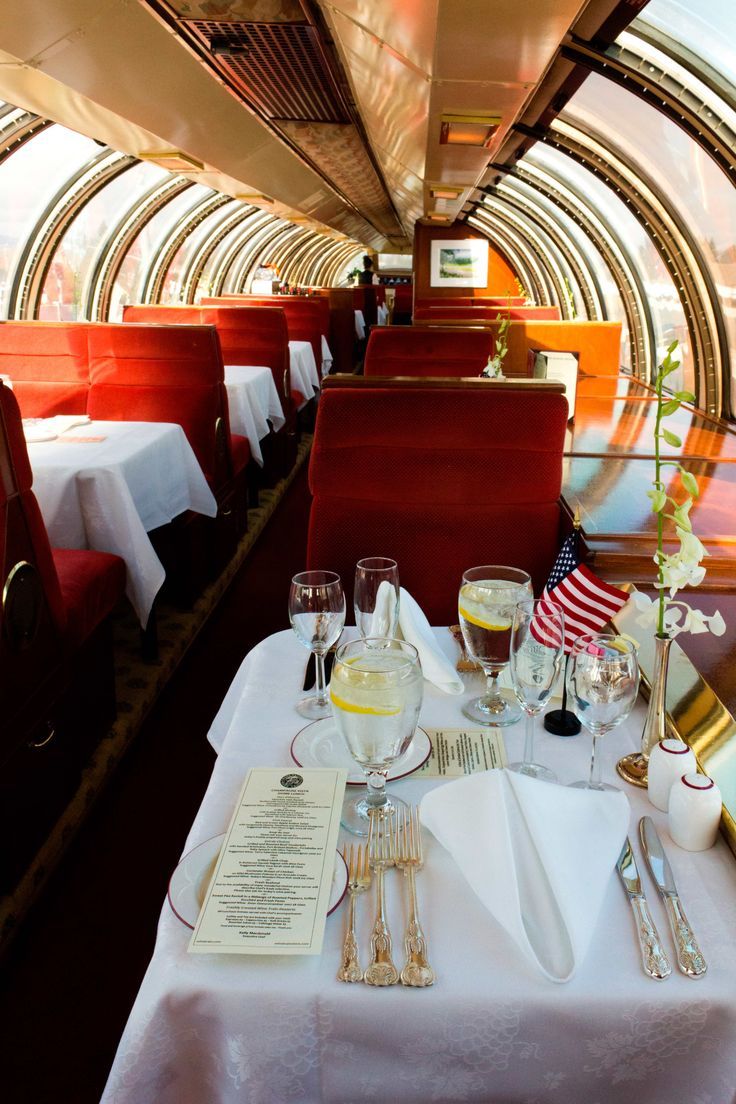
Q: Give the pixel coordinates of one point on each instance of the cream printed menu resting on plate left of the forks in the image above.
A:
(272, 884)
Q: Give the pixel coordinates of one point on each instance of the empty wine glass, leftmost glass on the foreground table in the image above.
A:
(317, 612)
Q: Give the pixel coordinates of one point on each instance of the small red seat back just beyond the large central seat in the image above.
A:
(414, 352)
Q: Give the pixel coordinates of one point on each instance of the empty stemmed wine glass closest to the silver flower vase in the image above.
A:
(603, 678)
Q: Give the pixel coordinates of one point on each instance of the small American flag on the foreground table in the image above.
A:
(588, 602)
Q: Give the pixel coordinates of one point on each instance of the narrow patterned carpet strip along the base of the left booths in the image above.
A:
(138, 685)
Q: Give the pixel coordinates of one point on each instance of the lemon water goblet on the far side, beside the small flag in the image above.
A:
(486, 609)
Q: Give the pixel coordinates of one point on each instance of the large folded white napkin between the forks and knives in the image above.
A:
(539, 856)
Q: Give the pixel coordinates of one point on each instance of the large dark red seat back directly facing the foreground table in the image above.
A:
(439, 475)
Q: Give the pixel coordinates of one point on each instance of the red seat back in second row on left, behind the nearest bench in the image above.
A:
(248, 335)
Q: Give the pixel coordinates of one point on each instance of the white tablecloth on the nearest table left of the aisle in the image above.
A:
(109, 495)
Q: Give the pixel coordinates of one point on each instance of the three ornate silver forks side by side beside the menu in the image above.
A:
(393, 842)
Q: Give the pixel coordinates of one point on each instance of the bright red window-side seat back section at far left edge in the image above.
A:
(48, 365)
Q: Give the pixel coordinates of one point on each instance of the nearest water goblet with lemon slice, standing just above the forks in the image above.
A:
(376, 691)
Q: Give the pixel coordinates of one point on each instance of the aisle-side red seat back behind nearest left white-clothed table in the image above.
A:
(164, 374)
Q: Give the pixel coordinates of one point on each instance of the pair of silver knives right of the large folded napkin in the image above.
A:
(654, 957)
